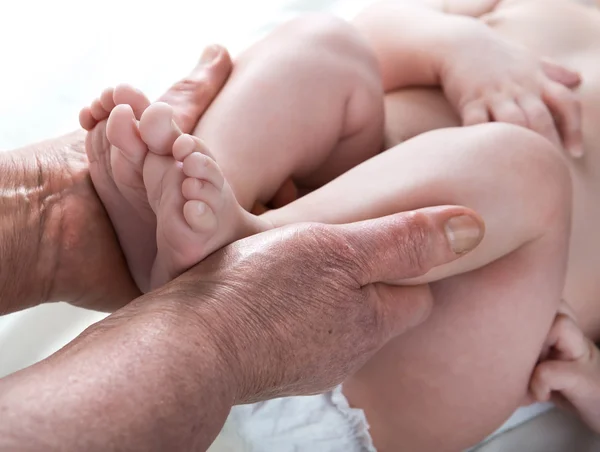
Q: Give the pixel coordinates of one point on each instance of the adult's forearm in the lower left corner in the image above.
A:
(139, 380)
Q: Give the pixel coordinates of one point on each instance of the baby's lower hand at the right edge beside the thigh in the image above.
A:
(569, 372)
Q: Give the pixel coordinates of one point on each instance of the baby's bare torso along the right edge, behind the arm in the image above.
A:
(569, 33)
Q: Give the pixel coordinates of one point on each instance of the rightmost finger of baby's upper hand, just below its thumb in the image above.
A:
(566, 108)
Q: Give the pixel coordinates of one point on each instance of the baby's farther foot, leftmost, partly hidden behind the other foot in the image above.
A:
(116, 155)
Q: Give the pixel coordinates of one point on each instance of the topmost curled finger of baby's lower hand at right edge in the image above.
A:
(566, 339)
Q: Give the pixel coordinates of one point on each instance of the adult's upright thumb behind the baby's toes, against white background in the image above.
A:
(191, 96)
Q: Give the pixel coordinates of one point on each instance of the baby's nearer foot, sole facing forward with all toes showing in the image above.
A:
(197, 212)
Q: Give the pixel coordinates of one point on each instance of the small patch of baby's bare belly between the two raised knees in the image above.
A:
(413, 111)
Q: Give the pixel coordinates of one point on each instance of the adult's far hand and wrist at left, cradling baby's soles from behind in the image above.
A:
(57, 241)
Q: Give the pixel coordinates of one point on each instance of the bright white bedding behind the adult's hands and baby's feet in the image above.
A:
(57, 56)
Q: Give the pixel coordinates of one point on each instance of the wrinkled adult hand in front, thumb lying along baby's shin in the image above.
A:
(296, 310)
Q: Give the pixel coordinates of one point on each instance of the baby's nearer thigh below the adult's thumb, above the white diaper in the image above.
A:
(448, 384)
